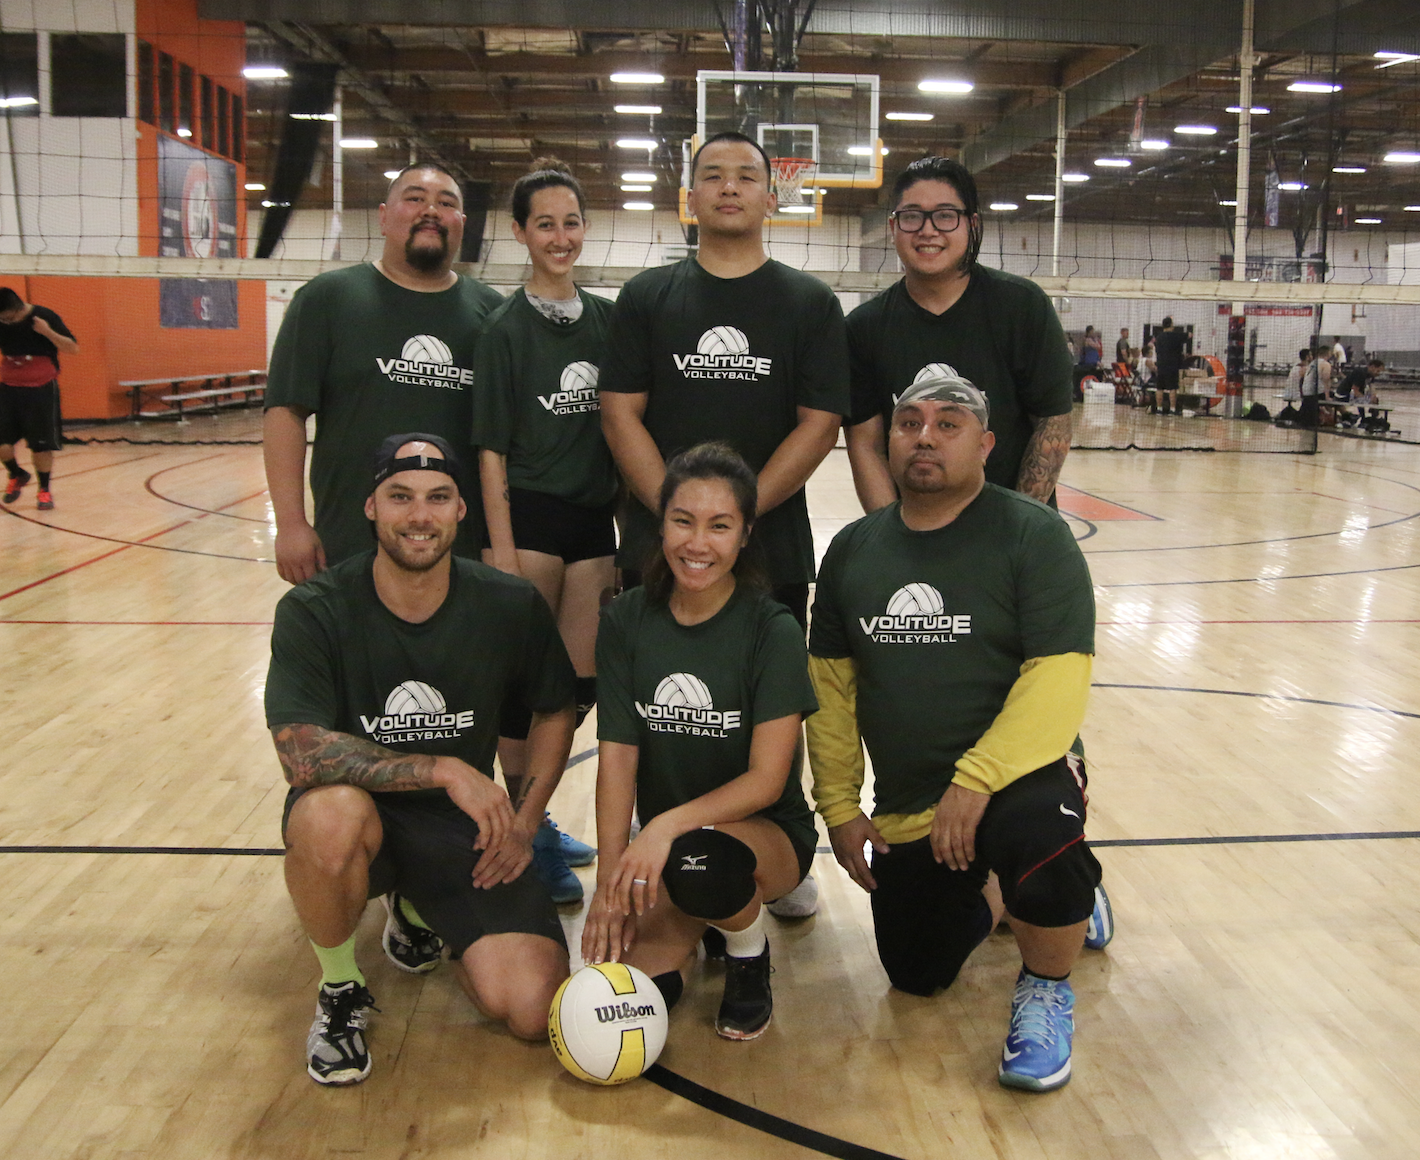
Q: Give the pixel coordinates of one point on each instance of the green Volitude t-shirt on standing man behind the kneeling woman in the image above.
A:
(733, 360)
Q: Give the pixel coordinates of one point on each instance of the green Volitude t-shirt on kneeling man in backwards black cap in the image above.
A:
(340, 660)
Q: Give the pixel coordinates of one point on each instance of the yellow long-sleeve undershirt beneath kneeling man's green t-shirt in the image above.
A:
(1037, 725)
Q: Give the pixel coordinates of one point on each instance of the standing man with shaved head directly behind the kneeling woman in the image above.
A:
(728, 346)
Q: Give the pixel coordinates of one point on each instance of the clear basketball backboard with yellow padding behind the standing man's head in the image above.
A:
(830, 119)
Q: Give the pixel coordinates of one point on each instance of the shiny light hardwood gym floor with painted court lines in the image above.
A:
(1257, 678)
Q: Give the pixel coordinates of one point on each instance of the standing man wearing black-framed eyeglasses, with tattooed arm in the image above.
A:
(952, 316)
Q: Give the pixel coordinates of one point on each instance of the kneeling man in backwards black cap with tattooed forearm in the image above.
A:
(388, 677)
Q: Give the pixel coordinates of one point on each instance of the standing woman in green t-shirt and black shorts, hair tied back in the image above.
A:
(549, 482)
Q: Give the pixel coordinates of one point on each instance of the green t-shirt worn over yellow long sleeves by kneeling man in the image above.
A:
(939, 624)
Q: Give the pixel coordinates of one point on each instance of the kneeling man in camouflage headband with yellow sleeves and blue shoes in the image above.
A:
(954, 634)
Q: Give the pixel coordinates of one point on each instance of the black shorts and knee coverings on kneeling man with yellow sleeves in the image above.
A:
(928, 919)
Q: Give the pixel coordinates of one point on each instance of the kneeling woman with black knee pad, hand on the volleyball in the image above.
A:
(704, 688)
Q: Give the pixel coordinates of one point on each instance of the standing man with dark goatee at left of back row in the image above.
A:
(373, 350)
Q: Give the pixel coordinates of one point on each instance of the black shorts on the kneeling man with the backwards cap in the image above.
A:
(428, 857)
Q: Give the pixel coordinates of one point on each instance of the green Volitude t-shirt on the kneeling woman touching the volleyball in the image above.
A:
(691, 696)
